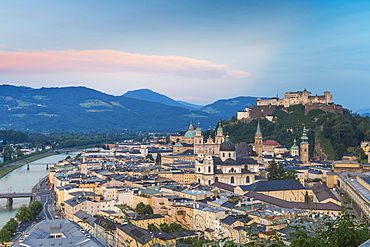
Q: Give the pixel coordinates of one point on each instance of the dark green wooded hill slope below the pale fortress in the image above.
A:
(332, 134)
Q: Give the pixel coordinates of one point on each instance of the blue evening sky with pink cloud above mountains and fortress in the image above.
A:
(197, 51)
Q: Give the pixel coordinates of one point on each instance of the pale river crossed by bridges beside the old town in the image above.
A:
(22, 180)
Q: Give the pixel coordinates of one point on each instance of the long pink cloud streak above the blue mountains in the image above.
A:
(109, 61)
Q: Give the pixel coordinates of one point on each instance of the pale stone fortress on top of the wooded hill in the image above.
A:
(265, 108)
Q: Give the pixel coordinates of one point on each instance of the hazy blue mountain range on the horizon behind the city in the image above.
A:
(85, 109)
